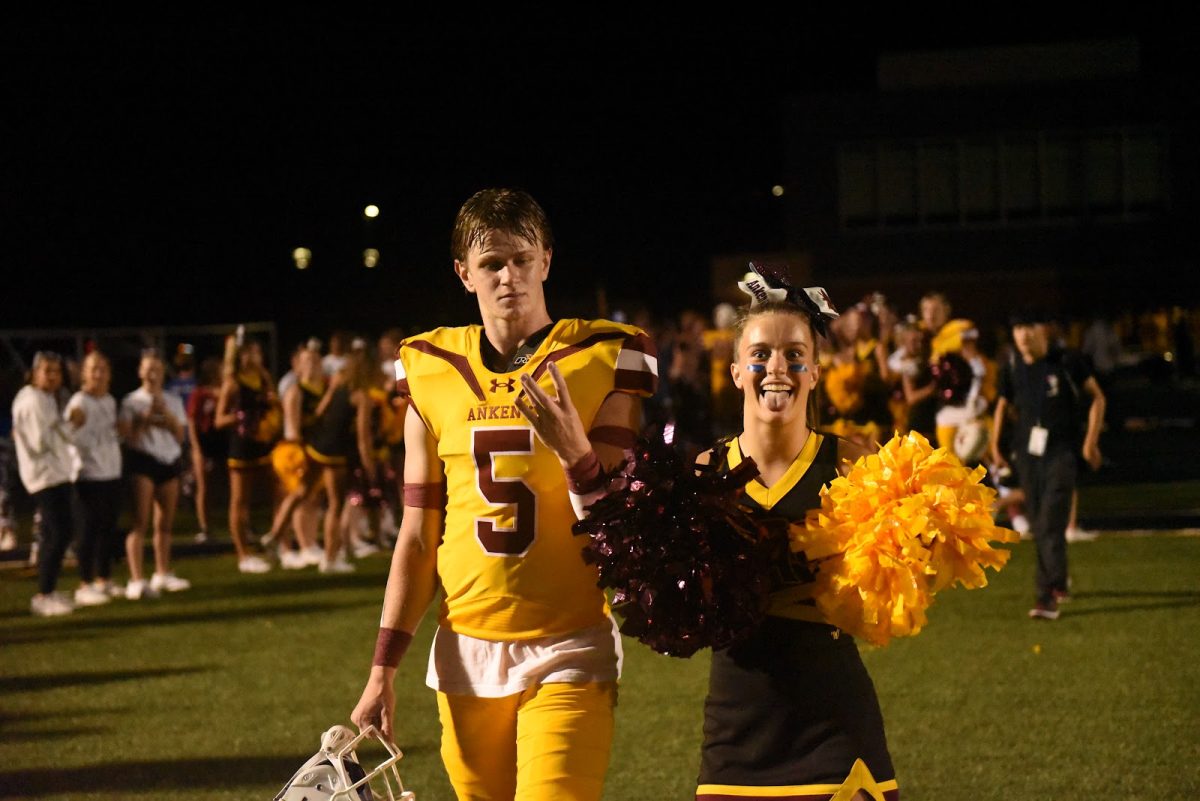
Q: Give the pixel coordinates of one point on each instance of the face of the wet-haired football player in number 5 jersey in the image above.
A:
(506, 274)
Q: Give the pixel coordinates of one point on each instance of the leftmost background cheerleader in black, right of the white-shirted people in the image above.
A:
(248, 408)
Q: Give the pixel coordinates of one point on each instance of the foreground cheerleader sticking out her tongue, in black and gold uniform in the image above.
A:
(791, 712)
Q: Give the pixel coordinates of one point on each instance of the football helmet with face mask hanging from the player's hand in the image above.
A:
(334, 774)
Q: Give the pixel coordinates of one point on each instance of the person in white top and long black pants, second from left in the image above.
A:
(100, 479)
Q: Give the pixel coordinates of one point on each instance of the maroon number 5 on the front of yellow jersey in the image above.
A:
(487, 444)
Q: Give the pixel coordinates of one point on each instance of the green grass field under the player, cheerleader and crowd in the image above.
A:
(223, 691)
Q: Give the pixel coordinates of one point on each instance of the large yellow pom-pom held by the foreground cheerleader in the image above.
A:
(905, 523)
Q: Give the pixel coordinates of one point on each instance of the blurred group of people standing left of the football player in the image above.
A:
(321, 448)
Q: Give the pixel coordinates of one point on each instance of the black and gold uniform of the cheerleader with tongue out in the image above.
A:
(791, 714)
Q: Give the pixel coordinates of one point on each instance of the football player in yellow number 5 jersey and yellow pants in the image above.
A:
(508, 424)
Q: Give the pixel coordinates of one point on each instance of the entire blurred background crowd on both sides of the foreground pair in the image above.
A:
(320, 450)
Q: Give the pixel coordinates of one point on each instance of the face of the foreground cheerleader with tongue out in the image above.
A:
(776, 369)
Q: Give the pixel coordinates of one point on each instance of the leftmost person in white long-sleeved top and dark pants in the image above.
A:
(49, 466)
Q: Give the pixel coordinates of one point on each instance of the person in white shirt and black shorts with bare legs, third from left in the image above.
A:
(152, 423)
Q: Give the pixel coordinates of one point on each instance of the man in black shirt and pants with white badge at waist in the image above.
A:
(1049, 389)
